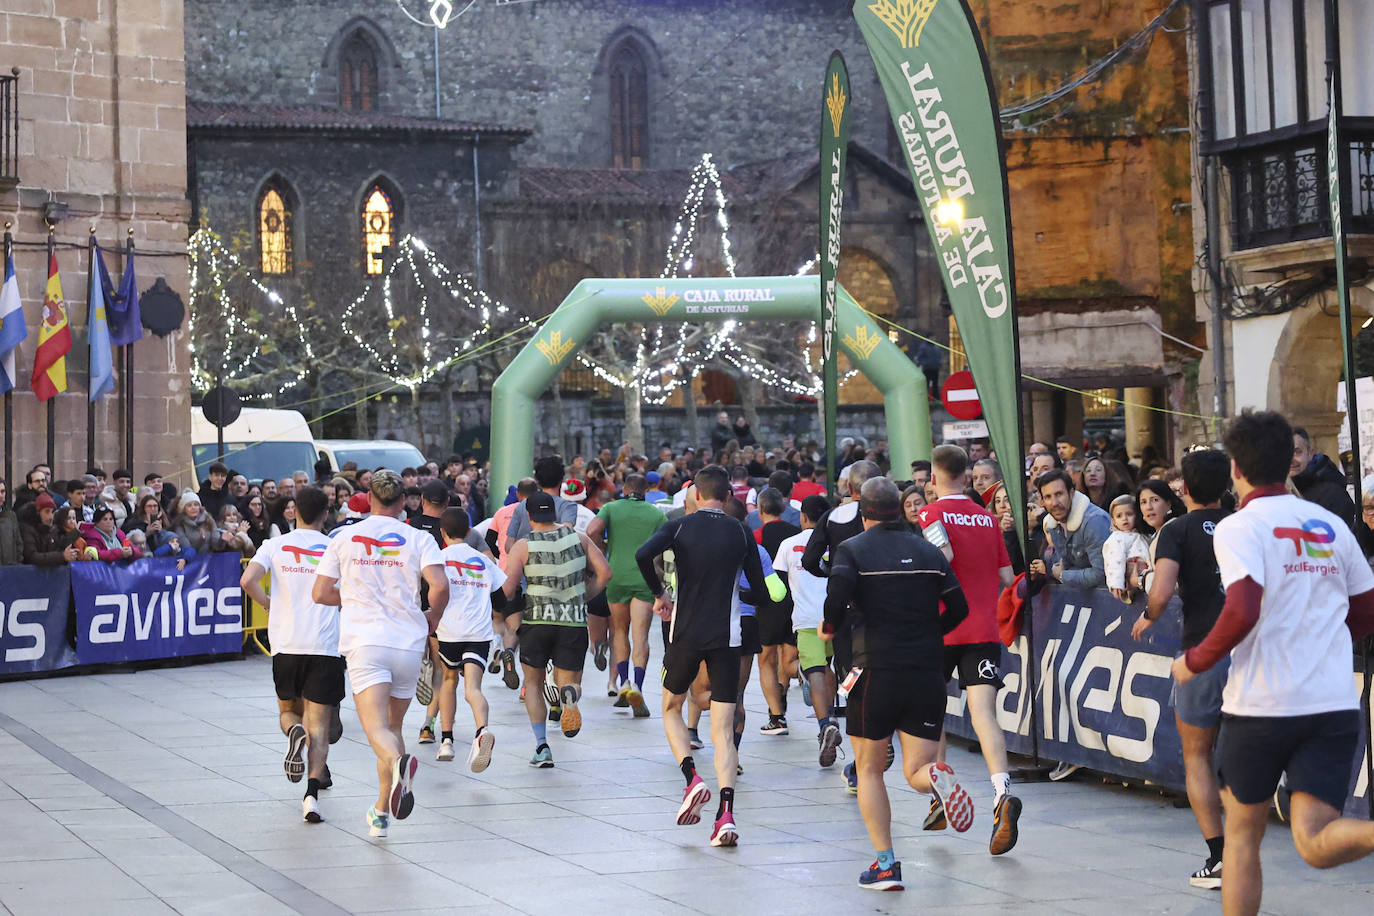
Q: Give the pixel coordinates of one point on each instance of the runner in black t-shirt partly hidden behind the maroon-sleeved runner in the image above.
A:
(1185, 558)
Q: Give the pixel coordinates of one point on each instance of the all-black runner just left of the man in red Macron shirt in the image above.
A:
(887, 586)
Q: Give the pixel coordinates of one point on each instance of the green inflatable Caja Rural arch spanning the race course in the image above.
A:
(777, 299)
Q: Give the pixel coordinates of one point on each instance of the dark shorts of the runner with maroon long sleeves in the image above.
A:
(1317, 752)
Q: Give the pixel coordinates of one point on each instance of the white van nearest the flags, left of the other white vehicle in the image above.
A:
(260, 444)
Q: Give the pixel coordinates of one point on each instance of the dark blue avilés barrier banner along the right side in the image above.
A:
(1103, 700)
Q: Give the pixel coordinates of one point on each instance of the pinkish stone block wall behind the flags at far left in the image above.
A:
(102, 128)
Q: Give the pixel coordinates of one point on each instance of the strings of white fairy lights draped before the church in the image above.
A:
(662, 366)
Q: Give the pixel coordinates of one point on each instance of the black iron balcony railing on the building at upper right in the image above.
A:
(1280, 190)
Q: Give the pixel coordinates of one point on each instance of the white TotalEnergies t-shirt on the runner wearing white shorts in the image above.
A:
(379, 564)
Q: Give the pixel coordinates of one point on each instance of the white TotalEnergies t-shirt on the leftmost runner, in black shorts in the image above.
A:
(297, 626)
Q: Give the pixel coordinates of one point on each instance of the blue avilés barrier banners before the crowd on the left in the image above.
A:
(135, 612)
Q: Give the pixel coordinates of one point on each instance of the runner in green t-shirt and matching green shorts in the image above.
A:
(629, 524)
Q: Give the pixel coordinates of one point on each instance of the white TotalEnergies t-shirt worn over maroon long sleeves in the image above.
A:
(1298, 659)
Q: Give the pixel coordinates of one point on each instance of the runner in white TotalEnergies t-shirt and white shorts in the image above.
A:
(373, 572)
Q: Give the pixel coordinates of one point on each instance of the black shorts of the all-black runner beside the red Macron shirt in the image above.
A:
(888, 701)
